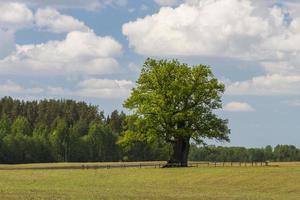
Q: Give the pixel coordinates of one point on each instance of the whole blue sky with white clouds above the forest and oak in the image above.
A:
(93, 50)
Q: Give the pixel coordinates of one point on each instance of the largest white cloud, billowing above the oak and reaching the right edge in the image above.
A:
(220, 28)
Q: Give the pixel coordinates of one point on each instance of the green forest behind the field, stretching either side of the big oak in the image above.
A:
(70, 131)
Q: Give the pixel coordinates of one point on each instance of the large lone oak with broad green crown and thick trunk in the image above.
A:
(176, 102)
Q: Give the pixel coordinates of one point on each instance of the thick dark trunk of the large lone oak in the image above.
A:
(179, 157)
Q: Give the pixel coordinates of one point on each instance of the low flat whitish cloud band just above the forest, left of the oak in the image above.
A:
(89, 88)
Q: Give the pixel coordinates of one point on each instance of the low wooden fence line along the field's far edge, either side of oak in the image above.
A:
(140, 165)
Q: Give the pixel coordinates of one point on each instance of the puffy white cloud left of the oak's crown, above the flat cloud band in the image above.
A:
(81, 53)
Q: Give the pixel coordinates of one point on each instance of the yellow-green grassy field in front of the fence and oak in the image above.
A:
(282, 182)
